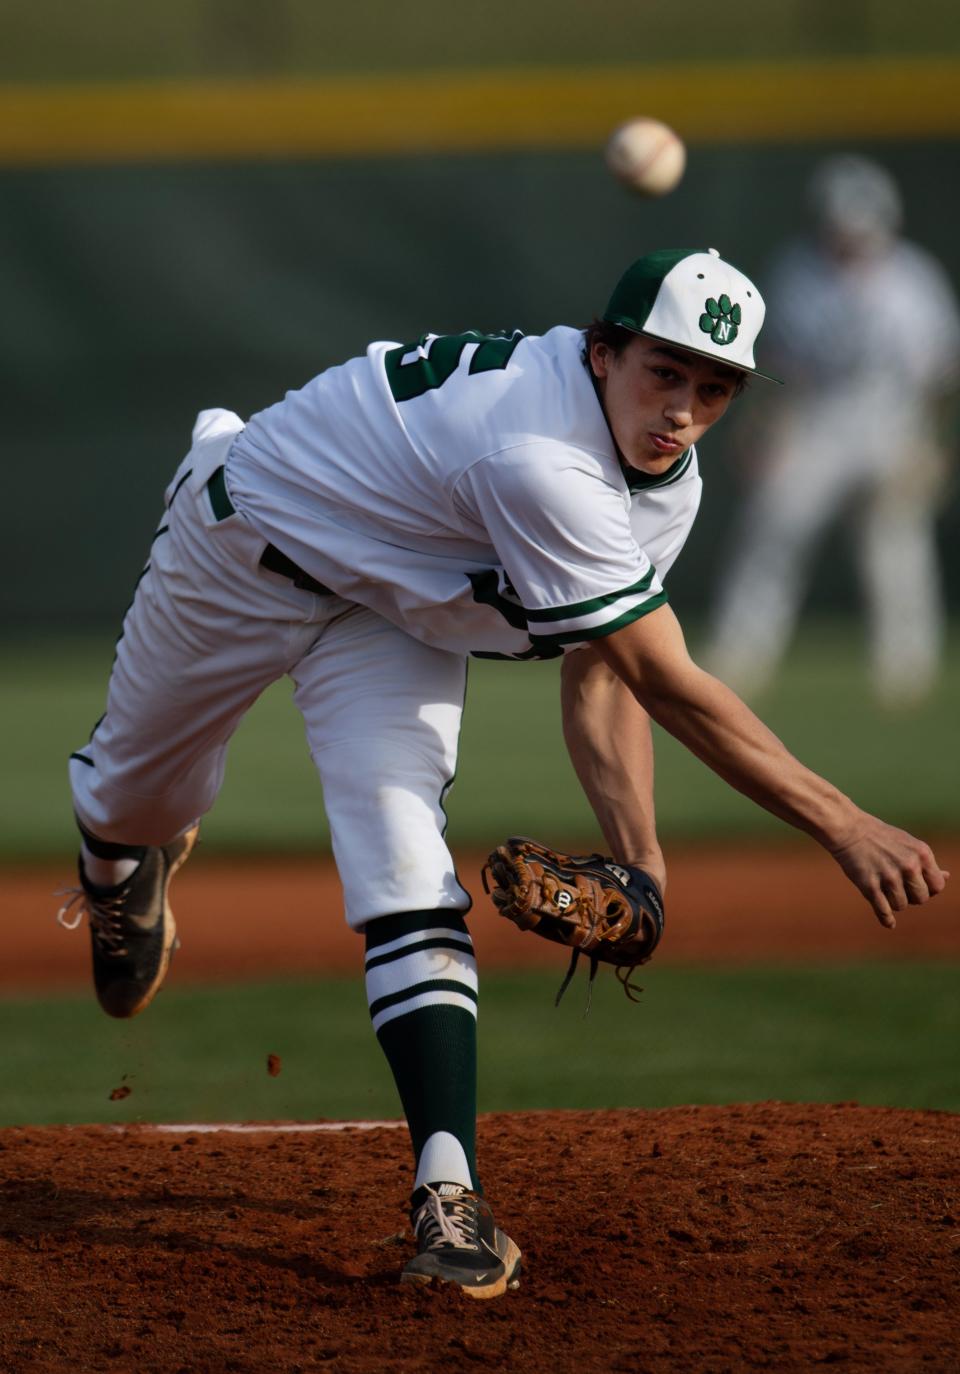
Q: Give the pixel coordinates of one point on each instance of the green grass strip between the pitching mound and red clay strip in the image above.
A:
(880, 1035)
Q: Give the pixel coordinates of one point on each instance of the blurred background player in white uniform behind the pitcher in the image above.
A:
(865, 330)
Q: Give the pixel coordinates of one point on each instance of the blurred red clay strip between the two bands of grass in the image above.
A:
(730, 905)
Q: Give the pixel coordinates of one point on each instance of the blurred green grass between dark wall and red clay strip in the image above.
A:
(514, 773)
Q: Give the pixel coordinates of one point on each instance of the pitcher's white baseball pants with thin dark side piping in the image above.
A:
(208, 631)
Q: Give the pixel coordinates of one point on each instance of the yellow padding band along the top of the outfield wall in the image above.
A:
(490, 111)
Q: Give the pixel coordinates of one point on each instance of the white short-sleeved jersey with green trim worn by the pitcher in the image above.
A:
(468, 490)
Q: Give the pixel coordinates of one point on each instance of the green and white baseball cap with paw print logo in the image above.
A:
(690, 297)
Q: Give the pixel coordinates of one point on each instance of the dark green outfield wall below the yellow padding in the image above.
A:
(135, 295)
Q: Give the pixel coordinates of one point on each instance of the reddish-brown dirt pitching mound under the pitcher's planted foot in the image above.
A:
(685, 1240)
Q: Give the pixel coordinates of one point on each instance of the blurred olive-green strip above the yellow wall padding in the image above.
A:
(189, 39)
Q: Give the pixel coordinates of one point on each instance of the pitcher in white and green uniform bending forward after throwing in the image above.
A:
(501, 495)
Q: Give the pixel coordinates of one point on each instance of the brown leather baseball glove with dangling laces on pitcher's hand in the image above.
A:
(609, 912)
